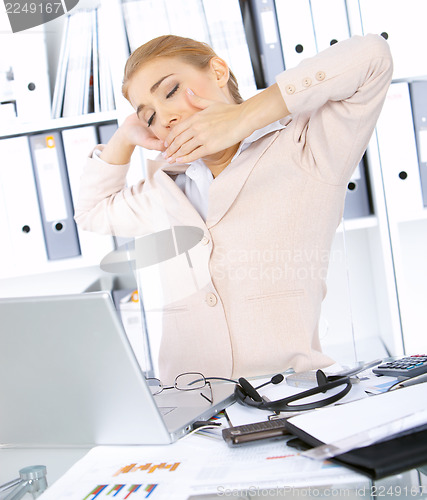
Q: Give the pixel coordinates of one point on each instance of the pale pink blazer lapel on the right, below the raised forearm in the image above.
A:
(227, 186)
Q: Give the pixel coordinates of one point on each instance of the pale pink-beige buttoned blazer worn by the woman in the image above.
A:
(249, 302)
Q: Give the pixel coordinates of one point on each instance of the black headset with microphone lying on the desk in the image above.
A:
(248, 395)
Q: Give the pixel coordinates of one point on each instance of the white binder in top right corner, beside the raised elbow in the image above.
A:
(404, 26)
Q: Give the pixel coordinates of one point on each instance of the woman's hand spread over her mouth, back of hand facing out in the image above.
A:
(216, 127)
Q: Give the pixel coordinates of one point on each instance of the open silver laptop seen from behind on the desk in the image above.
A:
(69, 377)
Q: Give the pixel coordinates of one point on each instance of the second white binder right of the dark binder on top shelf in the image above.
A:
(330, 22)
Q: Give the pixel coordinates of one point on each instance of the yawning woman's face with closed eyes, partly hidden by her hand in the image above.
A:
(158, 91)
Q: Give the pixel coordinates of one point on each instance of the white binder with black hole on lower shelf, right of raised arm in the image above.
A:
(398, 154)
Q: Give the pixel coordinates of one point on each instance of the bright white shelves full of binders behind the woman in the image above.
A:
(51, 116)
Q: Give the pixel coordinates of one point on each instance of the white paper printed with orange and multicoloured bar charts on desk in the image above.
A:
(189, 467)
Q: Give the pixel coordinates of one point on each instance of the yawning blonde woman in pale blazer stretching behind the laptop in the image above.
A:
(264, 180)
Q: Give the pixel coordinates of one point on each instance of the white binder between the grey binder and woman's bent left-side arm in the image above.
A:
(78, 143)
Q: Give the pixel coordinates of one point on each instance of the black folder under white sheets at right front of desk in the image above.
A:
(402, 453)
